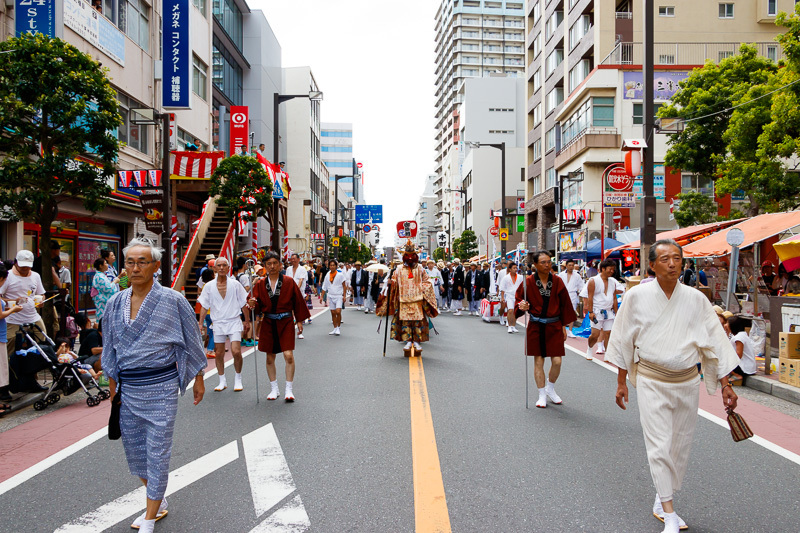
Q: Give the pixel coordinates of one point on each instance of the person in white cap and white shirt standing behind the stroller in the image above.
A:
(23, 287)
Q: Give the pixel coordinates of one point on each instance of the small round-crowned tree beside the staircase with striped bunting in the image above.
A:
(235, 181)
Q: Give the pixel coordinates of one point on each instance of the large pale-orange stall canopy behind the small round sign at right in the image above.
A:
(755, 229)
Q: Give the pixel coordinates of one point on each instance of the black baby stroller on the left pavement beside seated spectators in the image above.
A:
(67, 377)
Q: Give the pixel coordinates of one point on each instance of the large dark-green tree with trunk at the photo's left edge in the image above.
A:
(56, 104)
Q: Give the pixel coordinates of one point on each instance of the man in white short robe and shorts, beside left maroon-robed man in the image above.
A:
(227, 300)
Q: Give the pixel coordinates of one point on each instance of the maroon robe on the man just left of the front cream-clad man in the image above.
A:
(546, 340)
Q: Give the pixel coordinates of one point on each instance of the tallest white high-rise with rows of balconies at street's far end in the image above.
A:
(473, 38)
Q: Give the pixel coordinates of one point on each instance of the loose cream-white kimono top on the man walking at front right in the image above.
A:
(676, 332)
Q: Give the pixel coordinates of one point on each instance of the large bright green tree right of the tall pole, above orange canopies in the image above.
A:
(722, 142)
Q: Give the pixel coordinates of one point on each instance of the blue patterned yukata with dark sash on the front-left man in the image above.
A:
(151, 358)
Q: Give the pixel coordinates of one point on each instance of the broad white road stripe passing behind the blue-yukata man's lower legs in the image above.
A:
(132, 503)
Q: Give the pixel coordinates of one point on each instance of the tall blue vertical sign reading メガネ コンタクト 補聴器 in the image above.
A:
(176, 55)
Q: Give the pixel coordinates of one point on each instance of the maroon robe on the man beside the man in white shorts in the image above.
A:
(277, 335)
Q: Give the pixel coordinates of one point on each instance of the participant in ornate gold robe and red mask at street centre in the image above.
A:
(411, 301)
